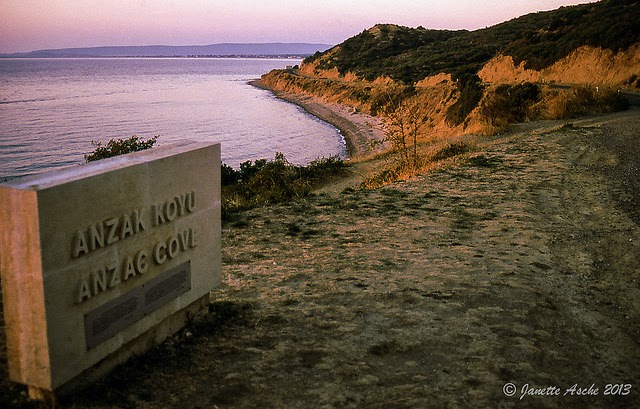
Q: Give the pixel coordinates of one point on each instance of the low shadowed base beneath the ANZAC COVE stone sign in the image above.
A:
(137, 346)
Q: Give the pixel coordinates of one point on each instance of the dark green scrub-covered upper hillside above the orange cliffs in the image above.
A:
(540, 39)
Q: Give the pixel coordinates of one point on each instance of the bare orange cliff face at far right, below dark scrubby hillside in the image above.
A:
(586, 65)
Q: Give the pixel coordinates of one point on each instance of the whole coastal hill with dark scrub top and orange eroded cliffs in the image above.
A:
(429, 85)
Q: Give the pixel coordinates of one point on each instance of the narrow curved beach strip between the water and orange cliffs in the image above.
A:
(363, 134)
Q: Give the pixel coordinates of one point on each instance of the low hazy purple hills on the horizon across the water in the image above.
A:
(216, 50)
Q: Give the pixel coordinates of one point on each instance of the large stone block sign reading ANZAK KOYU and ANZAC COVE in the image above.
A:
(95, 255)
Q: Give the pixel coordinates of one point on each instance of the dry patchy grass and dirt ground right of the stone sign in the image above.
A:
(519, 266)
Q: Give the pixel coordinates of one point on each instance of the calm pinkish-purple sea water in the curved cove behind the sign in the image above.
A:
(52, 109)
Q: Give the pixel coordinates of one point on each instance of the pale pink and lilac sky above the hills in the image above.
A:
(28, 25)
